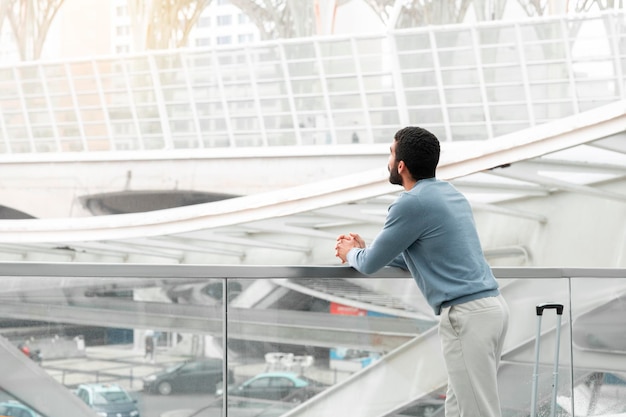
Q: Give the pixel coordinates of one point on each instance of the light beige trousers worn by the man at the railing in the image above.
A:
(472, 336)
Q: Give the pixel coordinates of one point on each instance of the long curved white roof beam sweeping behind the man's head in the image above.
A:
(459, 160)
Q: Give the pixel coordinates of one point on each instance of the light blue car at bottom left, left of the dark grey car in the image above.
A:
(108, 400)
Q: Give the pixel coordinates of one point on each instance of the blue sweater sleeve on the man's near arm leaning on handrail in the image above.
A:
(398, 233)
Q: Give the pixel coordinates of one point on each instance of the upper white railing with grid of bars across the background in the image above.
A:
(461, 81)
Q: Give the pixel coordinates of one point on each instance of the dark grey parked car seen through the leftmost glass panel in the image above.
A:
(200, 375)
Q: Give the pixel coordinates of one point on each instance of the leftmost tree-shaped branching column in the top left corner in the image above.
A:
(30, 21)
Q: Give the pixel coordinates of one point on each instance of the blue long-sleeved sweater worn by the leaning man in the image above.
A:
(430, 231)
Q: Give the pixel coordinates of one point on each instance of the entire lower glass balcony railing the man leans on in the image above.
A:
(369, 341)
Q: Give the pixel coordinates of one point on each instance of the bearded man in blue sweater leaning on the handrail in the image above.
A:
(430, 231)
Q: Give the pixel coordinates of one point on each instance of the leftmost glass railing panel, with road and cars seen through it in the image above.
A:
(125, 346)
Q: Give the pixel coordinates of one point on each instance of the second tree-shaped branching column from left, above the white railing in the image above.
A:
(162, 24)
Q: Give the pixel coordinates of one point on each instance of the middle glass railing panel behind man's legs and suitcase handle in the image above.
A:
(348, 355)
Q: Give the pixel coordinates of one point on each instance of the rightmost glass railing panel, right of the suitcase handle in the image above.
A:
(599, 346)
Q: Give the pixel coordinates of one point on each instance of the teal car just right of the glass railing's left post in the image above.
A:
(277, 386)
